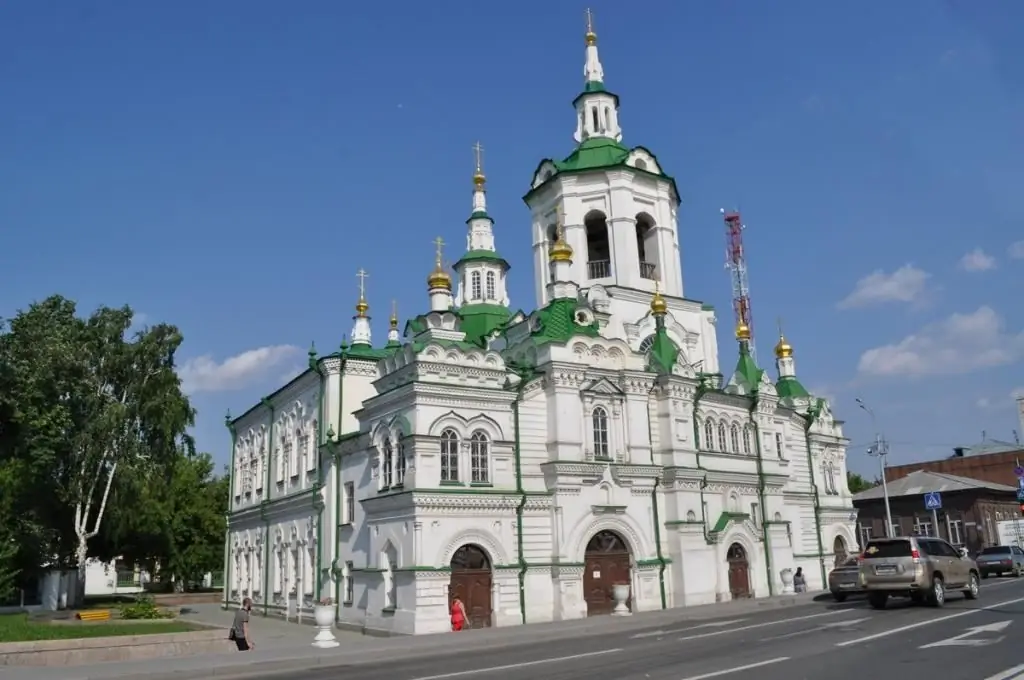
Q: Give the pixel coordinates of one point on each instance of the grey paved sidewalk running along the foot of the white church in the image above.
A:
(289, 646)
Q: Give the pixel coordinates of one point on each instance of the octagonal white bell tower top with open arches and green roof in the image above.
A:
(620, 208)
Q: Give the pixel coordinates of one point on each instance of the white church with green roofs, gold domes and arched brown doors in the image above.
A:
(530, 462)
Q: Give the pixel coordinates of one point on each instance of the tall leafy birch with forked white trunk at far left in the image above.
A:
(88, 403)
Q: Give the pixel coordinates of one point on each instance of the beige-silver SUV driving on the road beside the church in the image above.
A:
(921, 568)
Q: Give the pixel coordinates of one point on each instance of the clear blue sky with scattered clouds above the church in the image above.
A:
(229, 167)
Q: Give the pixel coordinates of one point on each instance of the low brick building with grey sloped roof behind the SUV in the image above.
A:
(971, 509)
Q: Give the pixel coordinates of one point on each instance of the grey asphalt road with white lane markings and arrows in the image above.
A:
(966, 641)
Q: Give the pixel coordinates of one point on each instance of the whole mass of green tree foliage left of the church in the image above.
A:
(95, 427)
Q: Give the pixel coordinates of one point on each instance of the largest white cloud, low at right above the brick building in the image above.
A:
(958, 345)
